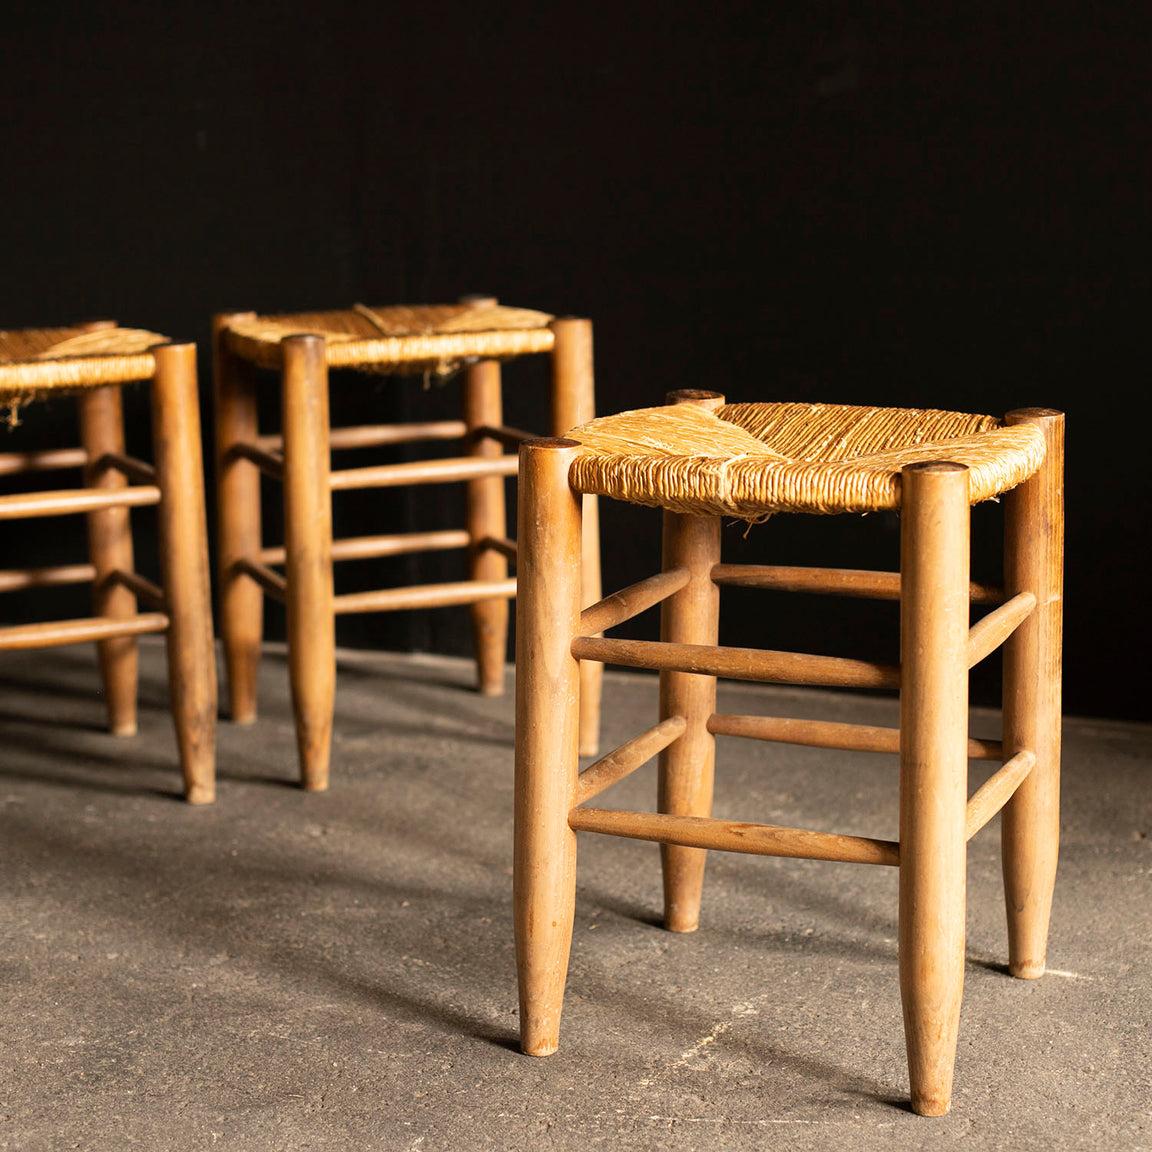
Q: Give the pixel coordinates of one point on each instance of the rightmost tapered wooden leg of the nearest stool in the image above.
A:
(1030, 825)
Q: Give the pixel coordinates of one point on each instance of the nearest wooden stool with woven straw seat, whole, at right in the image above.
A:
(701, 461)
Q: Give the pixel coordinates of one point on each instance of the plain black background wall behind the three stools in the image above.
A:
(780, 202)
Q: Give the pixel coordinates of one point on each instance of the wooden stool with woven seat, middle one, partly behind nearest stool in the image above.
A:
(433, 340)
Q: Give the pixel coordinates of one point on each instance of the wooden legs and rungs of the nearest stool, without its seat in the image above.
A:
(938, 647)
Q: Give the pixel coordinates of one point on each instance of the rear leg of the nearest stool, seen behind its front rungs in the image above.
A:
(689, 617)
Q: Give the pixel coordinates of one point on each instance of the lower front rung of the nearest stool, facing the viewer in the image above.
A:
(727, 836)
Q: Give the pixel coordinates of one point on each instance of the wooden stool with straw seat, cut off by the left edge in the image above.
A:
(94, 362)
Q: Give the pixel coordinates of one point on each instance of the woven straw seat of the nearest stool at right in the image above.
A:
(752, 460)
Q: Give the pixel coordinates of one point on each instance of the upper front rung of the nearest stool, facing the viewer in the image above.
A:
(739, 664)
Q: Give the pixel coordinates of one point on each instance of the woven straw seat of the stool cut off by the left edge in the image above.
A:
(39, 361)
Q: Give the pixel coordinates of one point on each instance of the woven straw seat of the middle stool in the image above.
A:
(401, 339)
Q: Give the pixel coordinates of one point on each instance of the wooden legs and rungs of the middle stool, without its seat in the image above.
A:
(301, 459)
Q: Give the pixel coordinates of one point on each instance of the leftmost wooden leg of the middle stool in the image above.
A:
(239, 524)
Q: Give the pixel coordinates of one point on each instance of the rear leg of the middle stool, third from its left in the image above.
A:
(487, 520)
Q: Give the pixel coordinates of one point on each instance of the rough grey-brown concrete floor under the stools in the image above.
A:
(299, 972)
